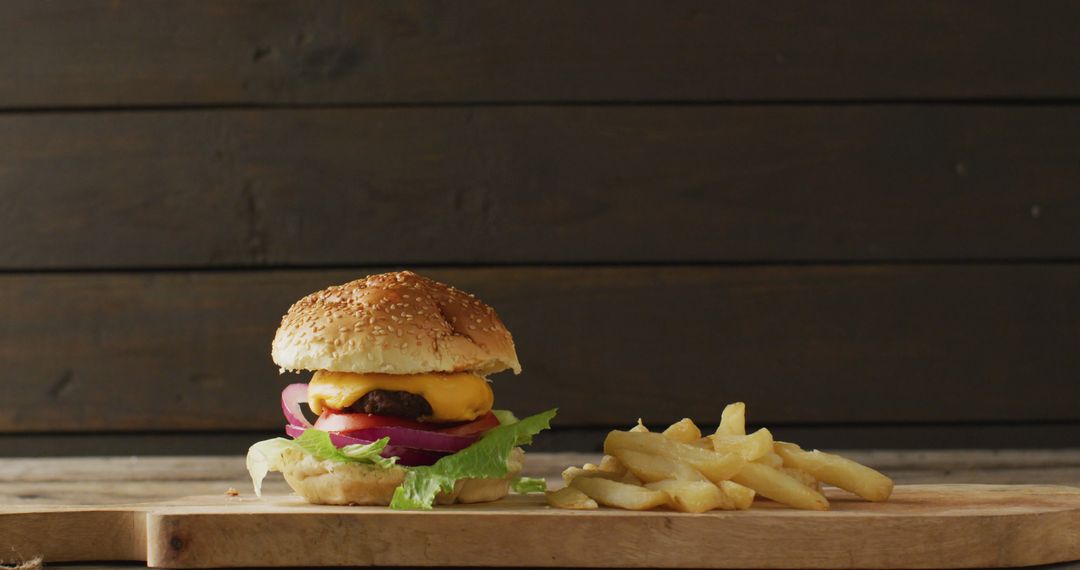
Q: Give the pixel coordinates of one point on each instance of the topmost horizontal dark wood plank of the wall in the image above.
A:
(129, 52)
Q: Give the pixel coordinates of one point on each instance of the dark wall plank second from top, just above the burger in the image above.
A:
(538, 185)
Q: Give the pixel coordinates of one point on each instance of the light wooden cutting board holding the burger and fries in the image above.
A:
(924, 526)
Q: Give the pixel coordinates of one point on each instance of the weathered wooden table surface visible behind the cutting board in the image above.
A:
(128, 480)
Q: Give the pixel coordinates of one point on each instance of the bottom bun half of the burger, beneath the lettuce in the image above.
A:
(328, 483)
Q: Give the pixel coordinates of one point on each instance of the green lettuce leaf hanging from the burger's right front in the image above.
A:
(485, 459)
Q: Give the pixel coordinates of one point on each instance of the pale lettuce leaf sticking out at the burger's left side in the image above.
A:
(265, 457)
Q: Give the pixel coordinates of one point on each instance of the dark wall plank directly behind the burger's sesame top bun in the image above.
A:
(803, 345)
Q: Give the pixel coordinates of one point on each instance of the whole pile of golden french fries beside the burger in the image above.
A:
(682, 470)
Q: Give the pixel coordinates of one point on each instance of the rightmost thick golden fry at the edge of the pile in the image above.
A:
(840, 471)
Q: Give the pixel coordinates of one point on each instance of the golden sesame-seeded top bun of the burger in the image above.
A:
(394, 323)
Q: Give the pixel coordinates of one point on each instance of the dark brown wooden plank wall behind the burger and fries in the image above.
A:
(862, 219)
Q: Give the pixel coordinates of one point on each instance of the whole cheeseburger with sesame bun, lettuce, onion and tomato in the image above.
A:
(401, 390)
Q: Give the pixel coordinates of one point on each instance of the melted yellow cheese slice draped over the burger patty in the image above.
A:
(453, 397)
